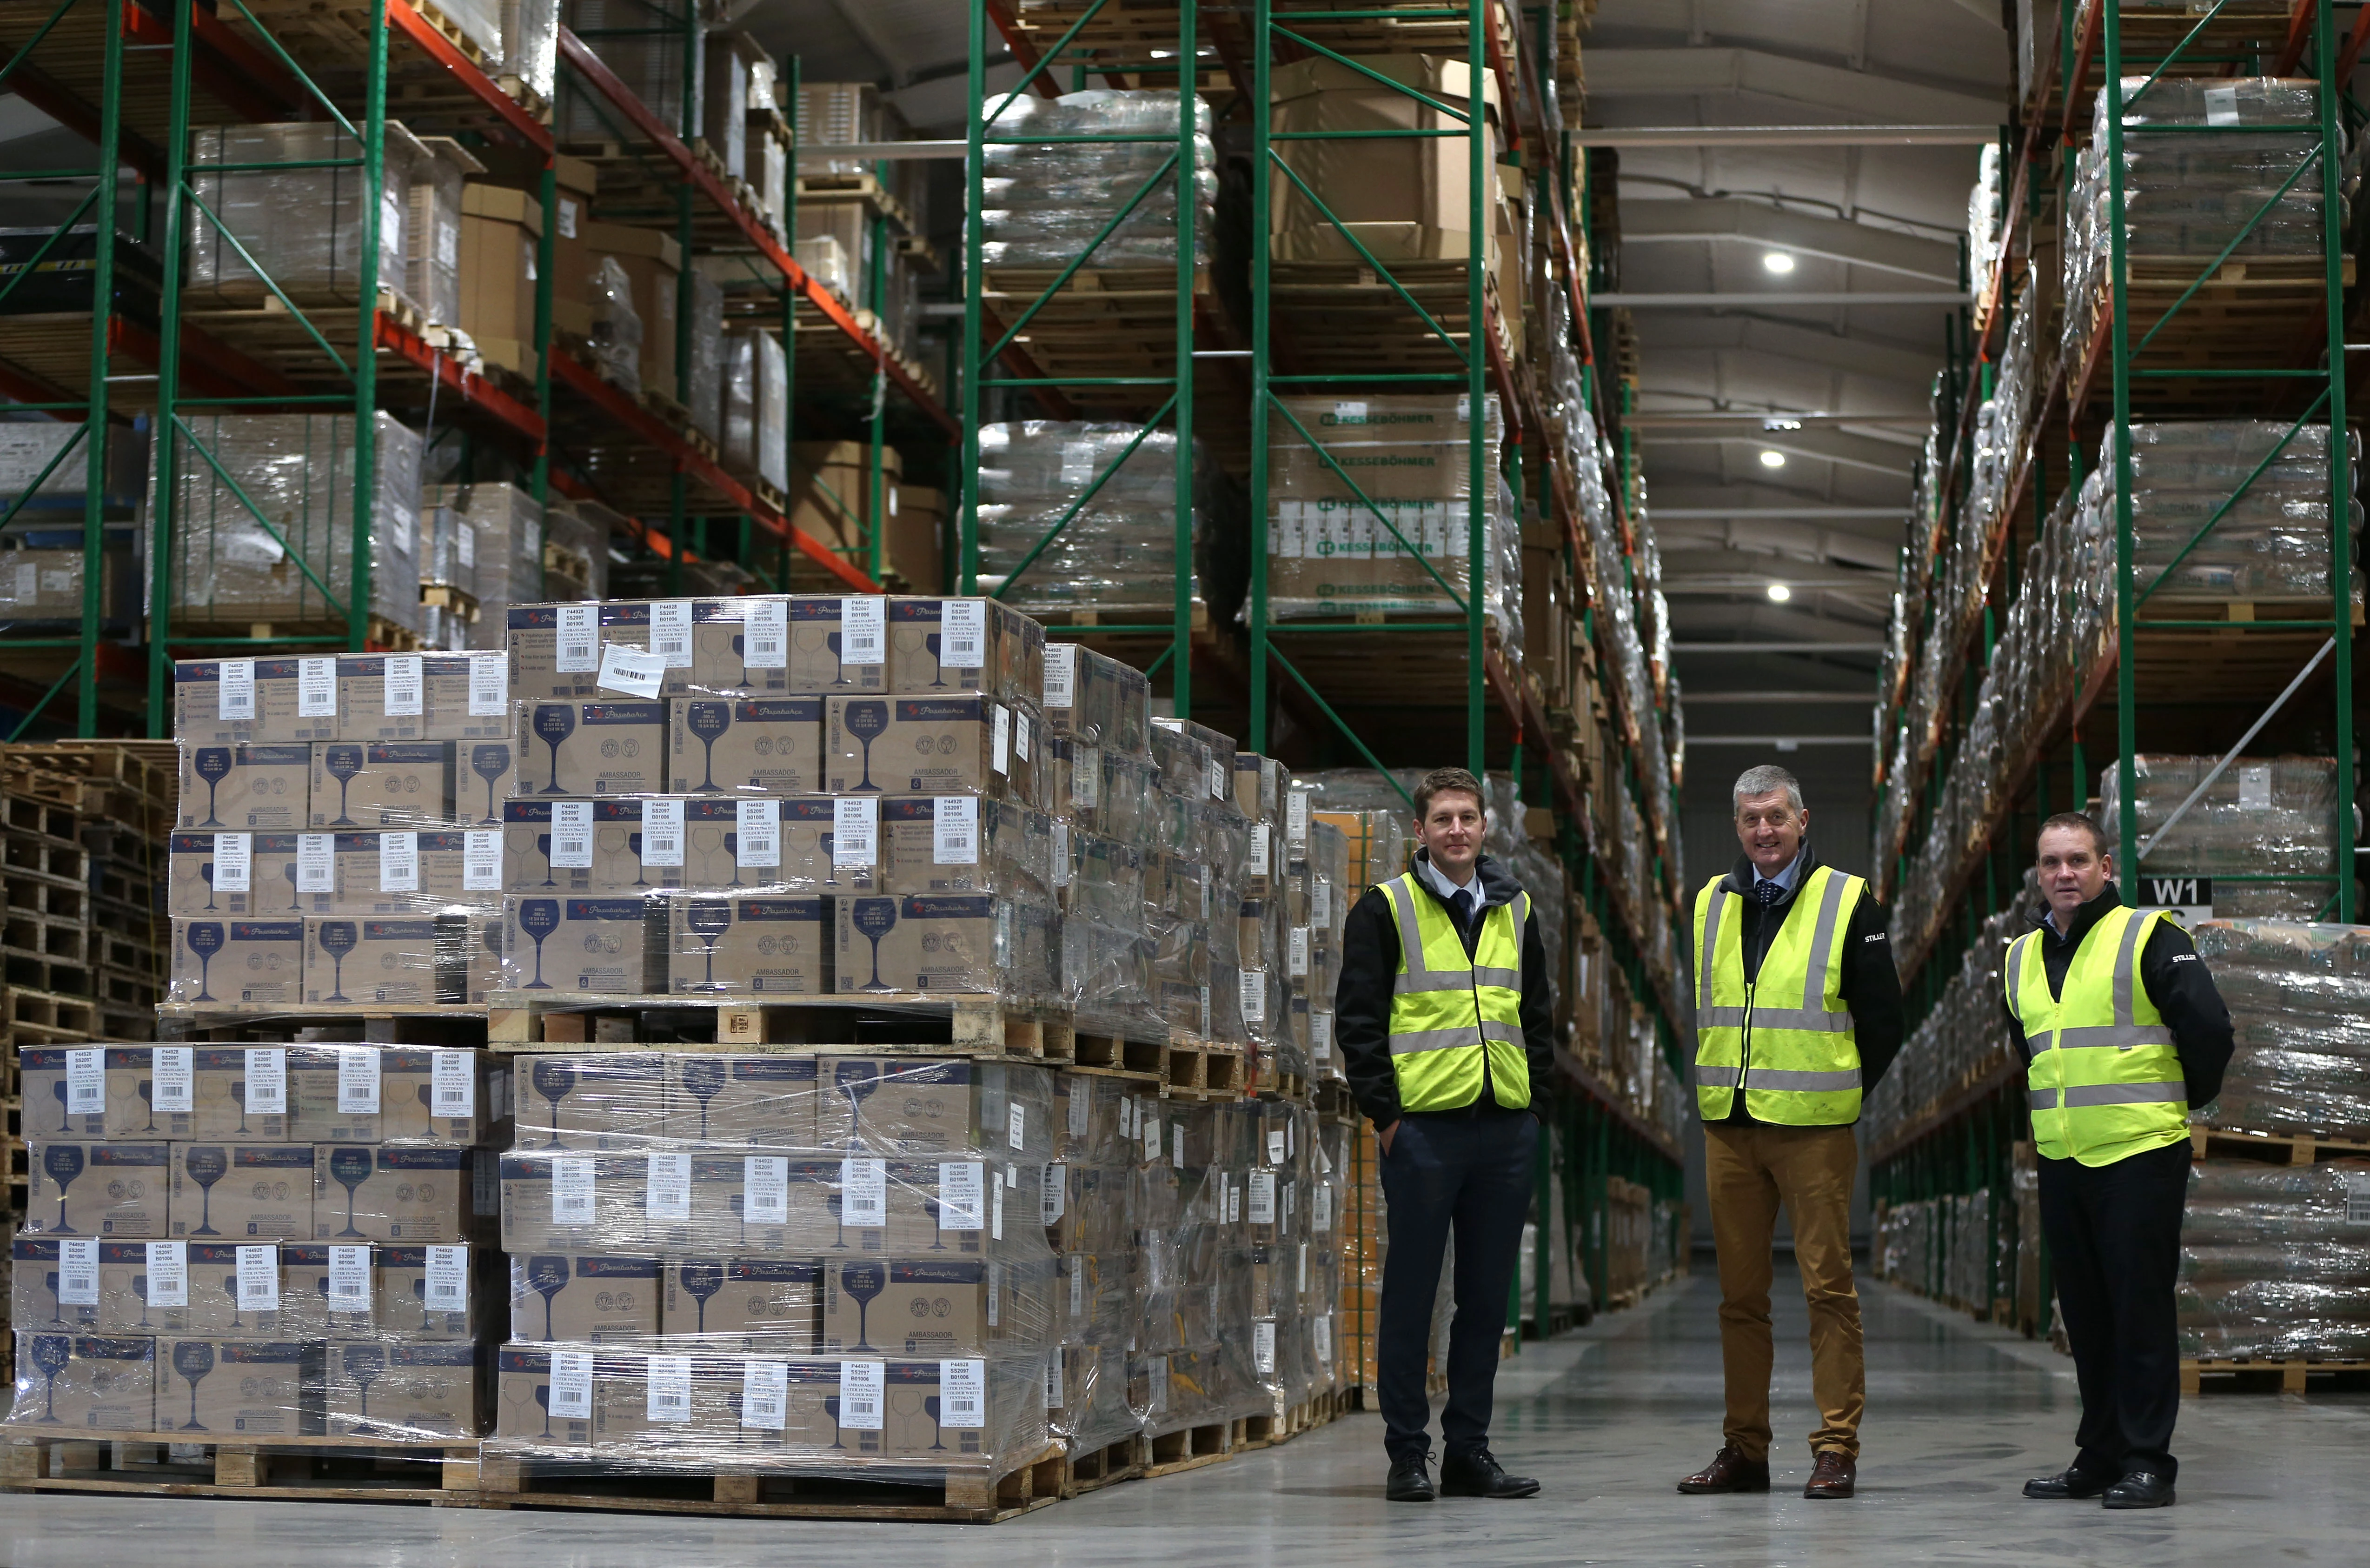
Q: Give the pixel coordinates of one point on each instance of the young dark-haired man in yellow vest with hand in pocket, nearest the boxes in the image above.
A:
(1445, 1029)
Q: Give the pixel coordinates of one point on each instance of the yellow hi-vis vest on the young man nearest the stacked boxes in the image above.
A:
(1449, 1013)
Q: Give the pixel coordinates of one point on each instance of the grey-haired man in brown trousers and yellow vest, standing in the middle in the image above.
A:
(1798, 1013)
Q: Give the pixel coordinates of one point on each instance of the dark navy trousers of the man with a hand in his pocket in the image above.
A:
(1466, 1174)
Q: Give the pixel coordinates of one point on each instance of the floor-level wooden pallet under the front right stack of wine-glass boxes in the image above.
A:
(907, 1496)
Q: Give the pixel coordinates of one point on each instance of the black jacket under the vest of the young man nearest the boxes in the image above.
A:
(1364, 998)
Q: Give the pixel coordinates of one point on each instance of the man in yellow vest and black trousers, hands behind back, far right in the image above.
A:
(2122, 1032)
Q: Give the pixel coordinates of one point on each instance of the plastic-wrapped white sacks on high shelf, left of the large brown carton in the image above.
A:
(1046, 203)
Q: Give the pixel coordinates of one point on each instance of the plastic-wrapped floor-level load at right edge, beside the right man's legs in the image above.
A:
(2276, 1261)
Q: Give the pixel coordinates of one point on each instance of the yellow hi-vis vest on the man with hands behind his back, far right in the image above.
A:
(2106, 1079)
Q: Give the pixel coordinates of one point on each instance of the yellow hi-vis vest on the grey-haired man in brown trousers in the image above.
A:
(1783, 1036)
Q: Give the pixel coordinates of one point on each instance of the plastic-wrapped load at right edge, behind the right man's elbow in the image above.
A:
(2300, 998)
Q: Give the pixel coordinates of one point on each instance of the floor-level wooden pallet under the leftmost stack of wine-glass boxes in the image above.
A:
(312, 1470)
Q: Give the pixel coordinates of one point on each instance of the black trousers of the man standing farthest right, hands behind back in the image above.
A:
(2115, 1254)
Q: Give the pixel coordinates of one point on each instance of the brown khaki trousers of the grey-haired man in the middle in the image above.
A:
(1750, 1171)
